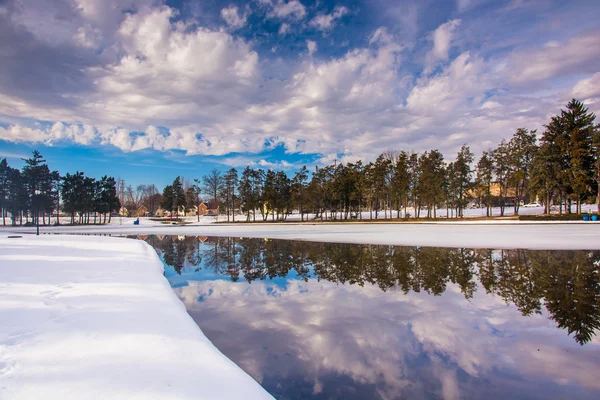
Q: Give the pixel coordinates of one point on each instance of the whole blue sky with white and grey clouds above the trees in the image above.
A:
(146, 90)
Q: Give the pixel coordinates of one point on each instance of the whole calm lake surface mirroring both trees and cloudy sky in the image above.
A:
(345, 321)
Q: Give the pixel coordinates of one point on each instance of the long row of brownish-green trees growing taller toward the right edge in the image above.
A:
(561, 169)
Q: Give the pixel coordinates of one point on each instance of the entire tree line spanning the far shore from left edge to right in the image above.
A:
(562, 168)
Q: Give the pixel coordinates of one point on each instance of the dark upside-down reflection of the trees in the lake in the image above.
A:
(566, 282)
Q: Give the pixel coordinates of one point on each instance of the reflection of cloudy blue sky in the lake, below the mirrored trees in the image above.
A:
(326, 340)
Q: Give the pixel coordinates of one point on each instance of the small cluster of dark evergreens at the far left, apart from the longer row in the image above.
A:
(36, 193)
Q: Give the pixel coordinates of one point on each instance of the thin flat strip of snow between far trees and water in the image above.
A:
(512, 235)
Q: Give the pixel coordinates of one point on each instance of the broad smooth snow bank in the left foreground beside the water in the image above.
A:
(94, 318)
